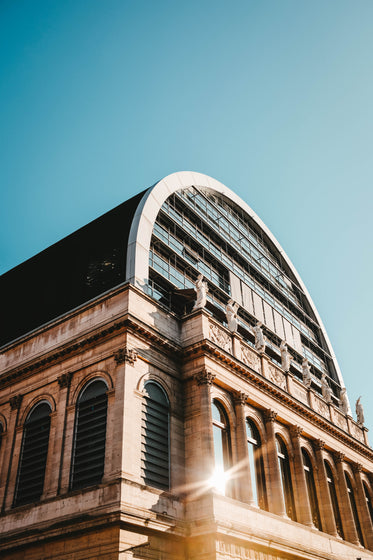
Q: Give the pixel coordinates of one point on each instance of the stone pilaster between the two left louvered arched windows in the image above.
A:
(57, 438)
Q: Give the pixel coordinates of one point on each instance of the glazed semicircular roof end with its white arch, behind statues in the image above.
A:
(189, 224)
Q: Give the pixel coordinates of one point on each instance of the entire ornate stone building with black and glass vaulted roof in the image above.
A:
(168, 391)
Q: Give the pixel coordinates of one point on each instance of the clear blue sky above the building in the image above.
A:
(273, 98)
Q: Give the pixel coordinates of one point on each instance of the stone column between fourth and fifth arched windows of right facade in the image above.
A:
(325, 504)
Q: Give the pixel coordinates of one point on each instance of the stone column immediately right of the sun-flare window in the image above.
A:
(244, 488)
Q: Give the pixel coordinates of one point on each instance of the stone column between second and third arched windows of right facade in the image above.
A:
(276, 500)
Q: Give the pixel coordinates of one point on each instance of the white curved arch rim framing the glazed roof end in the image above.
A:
(137, 268)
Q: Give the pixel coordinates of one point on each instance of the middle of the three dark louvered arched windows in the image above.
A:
(88, 459)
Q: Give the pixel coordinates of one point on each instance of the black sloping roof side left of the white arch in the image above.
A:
(67, 274)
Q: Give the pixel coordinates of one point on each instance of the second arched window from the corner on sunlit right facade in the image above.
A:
(256, 465)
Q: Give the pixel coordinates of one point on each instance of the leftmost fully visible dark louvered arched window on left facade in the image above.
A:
(33, 457)
